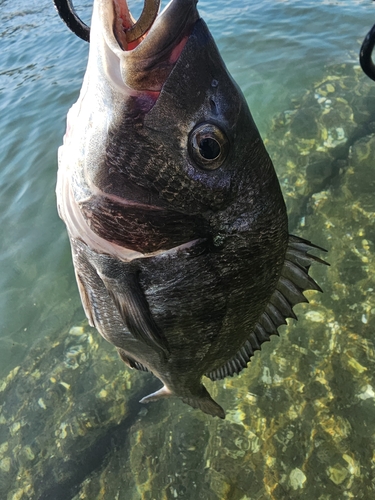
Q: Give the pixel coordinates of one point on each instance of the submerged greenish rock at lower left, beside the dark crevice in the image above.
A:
(60, 412)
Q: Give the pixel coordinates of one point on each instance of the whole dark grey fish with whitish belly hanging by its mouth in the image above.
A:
(176, 220)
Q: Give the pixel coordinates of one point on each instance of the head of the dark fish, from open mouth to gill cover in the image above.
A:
(165, 126)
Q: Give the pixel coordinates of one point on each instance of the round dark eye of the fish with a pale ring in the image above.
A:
(208, 146)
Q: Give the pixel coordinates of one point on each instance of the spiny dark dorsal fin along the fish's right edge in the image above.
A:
(294, 280)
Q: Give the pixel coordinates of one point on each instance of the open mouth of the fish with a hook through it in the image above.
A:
(148, 49)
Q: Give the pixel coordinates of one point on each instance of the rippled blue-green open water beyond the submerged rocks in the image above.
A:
(275, 50)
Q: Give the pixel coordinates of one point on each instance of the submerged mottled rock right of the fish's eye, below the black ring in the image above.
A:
(310, 142)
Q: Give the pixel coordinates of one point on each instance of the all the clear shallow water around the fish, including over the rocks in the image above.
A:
(301, 419)
